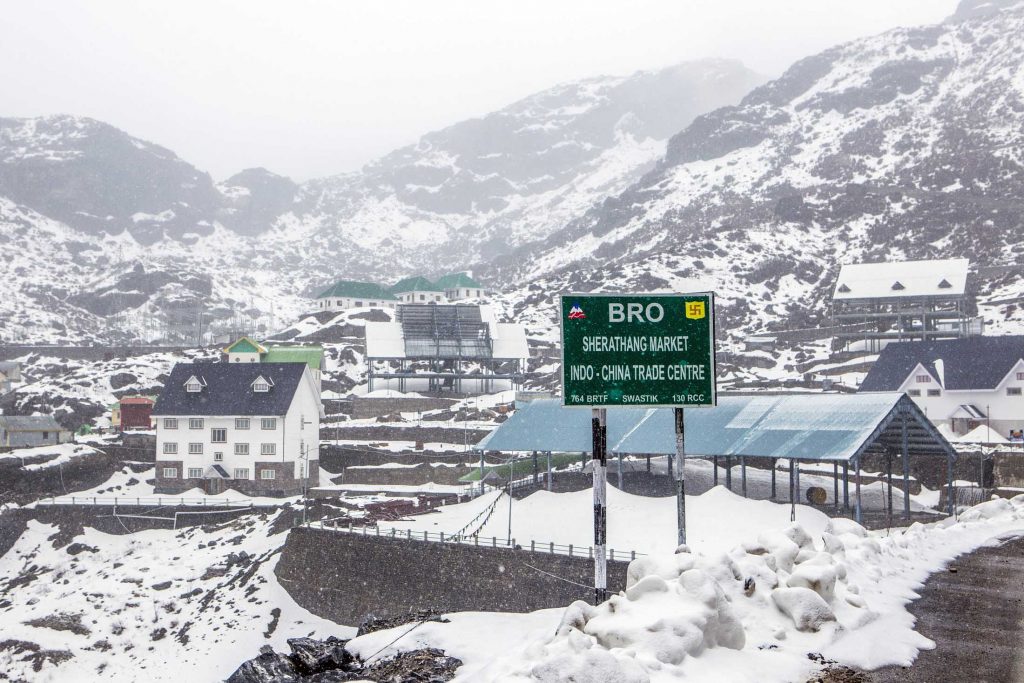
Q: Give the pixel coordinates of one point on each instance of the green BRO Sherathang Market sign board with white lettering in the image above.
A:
(638, 350)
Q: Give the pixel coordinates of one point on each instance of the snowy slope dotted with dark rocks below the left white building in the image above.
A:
(200, 628)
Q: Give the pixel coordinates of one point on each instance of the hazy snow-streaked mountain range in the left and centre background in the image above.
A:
(102, 225)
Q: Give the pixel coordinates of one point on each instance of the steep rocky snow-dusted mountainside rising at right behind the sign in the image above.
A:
(908, 145)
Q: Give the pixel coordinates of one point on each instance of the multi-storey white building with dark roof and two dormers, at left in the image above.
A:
(252, 428)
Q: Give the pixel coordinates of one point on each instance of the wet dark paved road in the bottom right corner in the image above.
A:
(976, 618)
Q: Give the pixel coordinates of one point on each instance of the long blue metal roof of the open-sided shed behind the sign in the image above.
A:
(824, 428)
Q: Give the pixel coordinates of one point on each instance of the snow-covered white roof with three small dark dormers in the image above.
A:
(902, 279)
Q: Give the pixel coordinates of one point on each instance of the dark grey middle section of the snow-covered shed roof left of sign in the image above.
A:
(445, 332)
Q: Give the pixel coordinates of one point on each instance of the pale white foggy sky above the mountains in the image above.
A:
(316, 88)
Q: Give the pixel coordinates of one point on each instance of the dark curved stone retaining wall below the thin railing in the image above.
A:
(347, 577)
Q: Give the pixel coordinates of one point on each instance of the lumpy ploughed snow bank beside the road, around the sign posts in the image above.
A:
(746, 604)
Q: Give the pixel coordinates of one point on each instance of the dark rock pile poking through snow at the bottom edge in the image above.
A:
(327, 662)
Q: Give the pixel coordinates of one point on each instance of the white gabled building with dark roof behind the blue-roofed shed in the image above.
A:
(960, 382)
